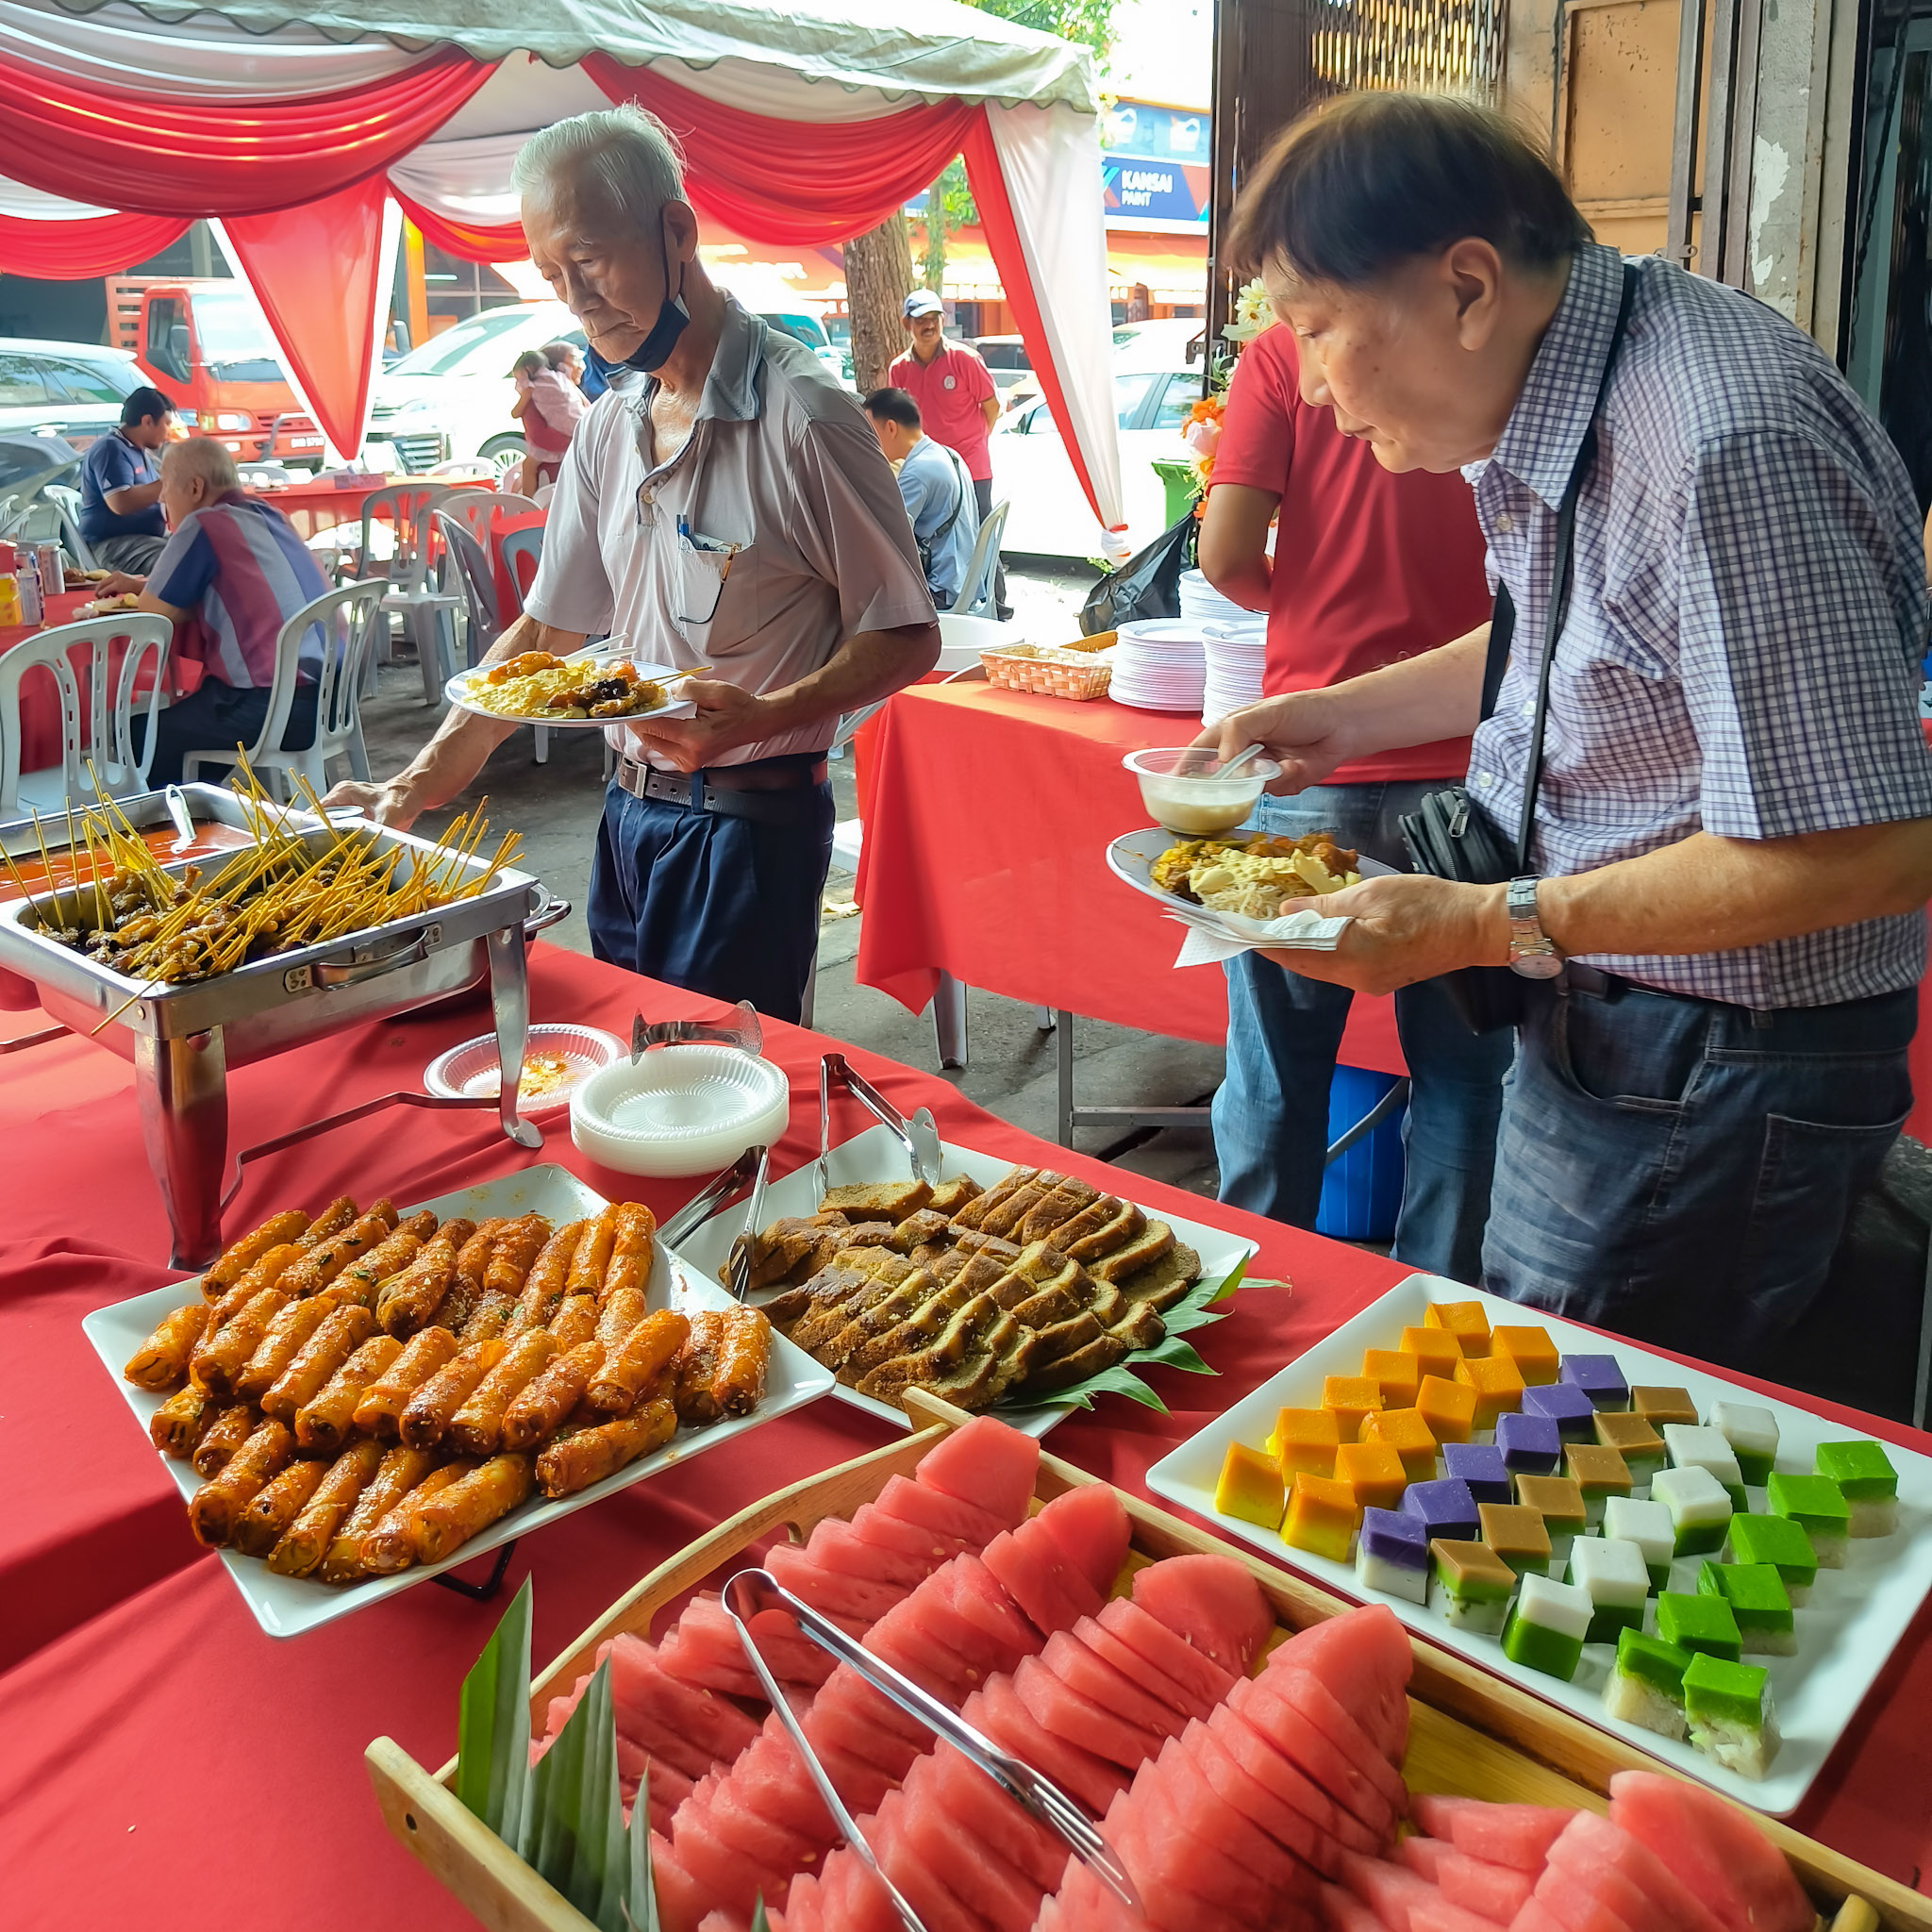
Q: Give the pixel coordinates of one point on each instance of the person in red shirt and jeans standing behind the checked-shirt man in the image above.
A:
(1369, 569)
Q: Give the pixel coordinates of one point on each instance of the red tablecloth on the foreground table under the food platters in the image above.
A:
(165, 1761)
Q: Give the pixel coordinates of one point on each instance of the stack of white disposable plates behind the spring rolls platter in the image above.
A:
(681, 1110)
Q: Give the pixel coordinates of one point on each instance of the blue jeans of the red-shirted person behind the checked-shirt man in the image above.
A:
(1270, 1116)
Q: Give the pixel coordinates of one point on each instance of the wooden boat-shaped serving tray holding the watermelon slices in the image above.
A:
(1471, 1734)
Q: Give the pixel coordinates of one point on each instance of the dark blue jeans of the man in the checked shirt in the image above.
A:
(1682, 1172)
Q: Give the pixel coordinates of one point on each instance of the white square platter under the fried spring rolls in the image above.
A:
(293, 1605)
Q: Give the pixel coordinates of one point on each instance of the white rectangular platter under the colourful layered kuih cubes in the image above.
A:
(1846, 1630)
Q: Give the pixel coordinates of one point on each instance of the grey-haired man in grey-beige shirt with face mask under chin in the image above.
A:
(725, 507)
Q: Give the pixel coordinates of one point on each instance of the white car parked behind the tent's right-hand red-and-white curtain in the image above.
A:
(1033, 472)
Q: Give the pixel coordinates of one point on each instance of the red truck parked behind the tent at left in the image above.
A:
(208, 349)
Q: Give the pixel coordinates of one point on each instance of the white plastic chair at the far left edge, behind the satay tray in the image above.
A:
(107, 737)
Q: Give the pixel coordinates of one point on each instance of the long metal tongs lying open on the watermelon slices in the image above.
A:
(754, 1591)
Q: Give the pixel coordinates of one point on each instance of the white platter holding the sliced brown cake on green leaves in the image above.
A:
(874, 1162)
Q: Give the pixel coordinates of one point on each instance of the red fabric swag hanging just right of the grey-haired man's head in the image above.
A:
(795, 183)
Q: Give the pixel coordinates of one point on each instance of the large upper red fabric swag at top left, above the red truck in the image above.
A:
(215, 157)
